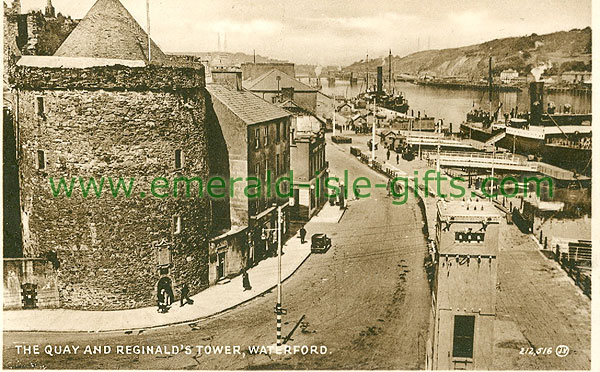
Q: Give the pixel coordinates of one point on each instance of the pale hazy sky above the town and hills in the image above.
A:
(338, 32)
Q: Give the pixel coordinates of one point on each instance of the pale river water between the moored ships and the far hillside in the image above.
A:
(453, 105)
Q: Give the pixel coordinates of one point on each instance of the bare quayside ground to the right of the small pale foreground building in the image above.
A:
(537, 306)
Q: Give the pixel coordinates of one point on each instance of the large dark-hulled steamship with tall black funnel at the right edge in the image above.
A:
(557, 137)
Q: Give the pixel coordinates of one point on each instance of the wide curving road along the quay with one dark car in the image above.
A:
(366, 300)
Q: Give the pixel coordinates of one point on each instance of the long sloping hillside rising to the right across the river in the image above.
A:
(561, 50)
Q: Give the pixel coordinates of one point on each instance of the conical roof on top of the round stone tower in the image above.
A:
(109, 31)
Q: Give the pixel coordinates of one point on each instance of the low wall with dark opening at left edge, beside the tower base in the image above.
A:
(37, 271)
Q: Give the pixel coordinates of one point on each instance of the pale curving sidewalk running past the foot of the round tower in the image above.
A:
(212, 301)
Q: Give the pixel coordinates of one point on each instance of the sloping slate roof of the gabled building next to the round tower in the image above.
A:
(250, 108)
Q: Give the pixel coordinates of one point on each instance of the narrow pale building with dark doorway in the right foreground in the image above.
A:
(464, 288)
